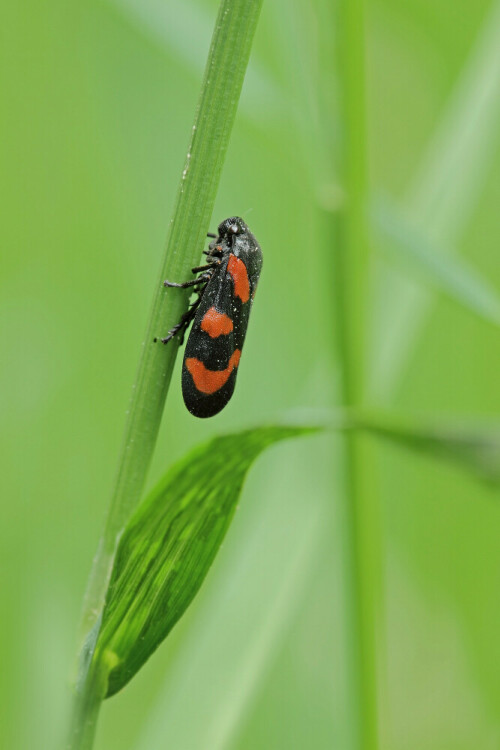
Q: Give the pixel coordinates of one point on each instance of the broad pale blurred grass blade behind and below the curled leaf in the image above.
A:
(249, 604)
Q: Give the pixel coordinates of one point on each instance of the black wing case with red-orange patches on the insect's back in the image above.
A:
(216, 339)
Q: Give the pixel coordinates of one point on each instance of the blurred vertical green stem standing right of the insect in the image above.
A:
(352, 293)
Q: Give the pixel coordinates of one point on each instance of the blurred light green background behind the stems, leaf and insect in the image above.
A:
(97, 104)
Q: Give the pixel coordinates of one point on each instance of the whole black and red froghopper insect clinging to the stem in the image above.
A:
(226, 287)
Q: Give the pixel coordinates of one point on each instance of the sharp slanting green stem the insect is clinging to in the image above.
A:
(224, 74)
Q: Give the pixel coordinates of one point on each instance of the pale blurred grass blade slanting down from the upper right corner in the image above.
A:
(444, 194)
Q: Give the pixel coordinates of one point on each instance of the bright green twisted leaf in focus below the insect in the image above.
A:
(168, 546)
